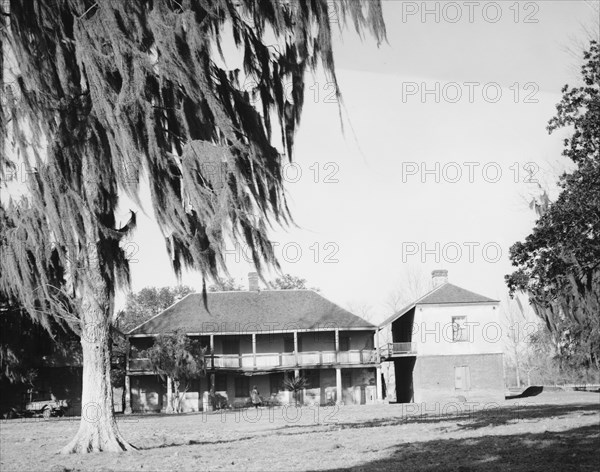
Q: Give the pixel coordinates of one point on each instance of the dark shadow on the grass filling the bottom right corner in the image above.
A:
(570, 450)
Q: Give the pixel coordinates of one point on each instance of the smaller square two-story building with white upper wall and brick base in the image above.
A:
(445, 346)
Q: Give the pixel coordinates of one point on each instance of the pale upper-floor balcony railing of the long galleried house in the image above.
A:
(276, 360)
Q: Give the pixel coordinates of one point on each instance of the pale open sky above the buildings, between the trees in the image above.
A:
(364, 209)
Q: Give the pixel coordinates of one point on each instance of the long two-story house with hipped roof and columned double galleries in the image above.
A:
(260, 338)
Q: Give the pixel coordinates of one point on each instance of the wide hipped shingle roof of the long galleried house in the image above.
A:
(235, 312)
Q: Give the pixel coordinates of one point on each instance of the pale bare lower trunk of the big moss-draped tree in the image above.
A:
(98, 429)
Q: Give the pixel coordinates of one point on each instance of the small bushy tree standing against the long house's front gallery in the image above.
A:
(177, 359)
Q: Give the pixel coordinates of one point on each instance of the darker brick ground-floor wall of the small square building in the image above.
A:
(434, 378)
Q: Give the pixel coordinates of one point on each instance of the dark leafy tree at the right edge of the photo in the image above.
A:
(558, 265)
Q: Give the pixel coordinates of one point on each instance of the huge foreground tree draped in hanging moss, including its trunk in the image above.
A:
(112, 90)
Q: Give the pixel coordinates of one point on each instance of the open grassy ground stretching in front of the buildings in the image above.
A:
(554, 431)
